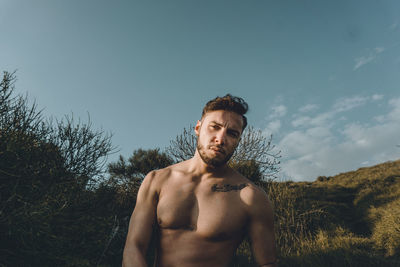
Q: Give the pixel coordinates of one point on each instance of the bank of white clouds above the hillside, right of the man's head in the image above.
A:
(321, 147)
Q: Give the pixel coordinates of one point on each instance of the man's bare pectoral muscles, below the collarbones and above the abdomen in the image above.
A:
(214, 212)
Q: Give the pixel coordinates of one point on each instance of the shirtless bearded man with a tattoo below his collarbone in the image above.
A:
(201, 207)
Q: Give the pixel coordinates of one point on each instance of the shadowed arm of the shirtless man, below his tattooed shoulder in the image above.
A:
(261, 229)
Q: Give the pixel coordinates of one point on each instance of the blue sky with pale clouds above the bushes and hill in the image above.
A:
(322, 76)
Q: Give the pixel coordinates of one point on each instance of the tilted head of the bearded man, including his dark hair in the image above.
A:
(220, 128)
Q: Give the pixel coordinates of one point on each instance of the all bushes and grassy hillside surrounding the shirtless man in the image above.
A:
(60, 206)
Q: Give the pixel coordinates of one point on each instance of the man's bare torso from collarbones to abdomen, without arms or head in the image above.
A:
(200, 221)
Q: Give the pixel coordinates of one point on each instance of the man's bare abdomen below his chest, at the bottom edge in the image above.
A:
(189, 248)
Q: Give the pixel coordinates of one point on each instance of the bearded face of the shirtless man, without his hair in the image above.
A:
(218, 134)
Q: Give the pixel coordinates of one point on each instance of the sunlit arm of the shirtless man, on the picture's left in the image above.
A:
(141, 224)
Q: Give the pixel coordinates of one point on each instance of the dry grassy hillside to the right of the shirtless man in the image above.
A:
(351, 219)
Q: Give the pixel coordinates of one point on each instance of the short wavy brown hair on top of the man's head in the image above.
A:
(229, 103)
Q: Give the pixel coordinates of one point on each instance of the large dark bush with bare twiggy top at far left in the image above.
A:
(45, 173)
